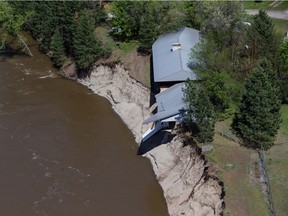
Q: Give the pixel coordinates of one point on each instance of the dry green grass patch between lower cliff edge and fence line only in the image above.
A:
(243, 194)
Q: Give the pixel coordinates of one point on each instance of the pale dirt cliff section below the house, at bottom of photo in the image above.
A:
(182, 173)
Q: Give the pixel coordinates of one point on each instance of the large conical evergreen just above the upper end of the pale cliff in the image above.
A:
(87, 49)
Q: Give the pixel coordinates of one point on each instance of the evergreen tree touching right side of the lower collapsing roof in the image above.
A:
(200, 116)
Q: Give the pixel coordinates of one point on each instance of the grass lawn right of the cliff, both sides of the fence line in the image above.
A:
(238, 169)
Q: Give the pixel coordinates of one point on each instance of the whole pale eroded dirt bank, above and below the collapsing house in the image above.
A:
(181, 171)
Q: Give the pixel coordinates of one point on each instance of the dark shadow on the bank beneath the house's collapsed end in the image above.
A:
(162, 137)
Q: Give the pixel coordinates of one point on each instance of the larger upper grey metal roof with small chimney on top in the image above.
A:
(173, 66)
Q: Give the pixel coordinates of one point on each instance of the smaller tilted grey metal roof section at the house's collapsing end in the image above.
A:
(170, 102)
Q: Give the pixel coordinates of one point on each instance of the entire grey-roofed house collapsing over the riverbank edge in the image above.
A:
(171, 54)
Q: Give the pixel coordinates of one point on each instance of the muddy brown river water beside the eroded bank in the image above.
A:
(64, 151)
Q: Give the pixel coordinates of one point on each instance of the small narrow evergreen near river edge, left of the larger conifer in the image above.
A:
(57, 48)
